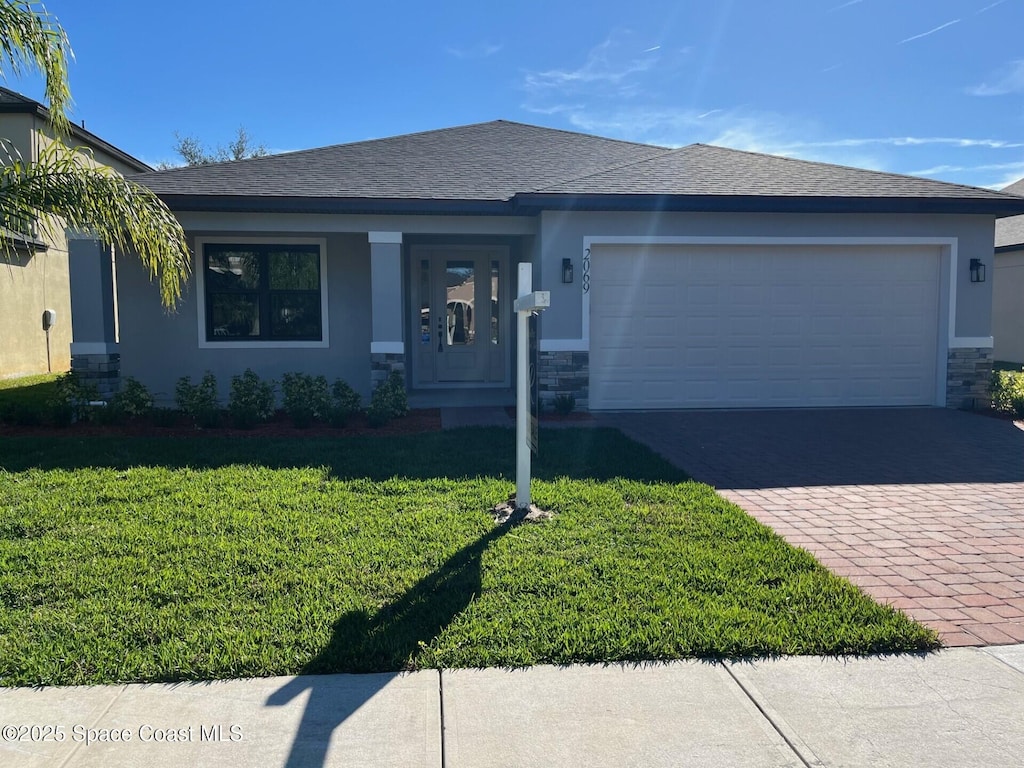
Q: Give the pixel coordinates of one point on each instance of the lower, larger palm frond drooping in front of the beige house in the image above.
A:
(62, 189)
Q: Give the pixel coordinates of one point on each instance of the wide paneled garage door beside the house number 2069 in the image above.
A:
(763, 326)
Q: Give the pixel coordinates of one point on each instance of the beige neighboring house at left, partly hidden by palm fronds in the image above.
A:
(32, 282)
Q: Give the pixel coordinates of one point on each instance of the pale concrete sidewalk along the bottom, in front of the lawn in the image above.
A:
(956, 708)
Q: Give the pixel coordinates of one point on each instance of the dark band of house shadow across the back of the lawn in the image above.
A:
(474, 452)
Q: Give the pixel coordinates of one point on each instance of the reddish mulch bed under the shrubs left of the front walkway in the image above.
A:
(425, 420)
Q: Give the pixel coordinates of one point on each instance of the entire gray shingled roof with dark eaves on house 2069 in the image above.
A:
(505, 167)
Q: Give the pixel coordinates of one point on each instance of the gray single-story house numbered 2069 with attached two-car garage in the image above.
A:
(701, 277)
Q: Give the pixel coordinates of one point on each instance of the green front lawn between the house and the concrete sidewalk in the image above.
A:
(139, 560)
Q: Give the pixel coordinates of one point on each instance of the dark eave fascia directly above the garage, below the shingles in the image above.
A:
(765, 204)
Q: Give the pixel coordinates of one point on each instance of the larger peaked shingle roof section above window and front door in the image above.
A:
(483, 162)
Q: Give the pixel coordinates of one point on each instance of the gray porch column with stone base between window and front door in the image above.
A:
(388, 352)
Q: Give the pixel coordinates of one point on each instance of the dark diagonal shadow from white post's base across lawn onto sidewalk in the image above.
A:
(382, 643)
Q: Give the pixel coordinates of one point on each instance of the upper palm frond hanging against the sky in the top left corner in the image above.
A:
(31, 37)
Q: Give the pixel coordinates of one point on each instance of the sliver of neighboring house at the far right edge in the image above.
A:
(1008, 288)
